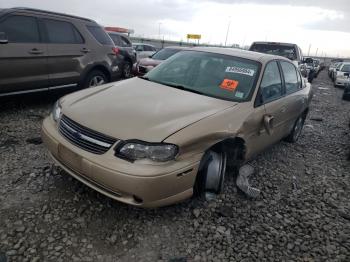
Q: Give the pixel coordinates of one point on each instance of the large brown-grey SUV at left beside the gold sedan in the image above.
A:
(43, 50)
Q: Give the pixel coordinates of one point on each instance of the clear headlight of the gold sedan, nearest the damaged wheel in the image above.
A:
(159, 152)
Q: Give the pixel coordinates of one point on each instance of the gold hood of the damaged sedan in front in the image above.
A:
(139, 109)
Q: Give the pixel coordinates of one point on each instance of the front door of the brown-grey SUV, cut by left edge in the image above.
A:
(23, 64)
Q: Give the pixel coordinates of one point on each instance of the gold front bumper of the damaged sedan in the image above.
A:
(139, 184)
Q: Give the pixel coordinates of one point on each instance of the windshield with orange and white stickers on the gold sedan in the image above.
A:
(216, 75)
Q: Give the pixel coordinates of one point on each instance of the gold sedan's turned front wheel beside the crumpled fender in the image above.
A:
(211, 173)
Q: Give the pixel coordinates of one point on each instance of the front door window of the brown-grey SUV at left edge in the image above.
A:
(21, 29)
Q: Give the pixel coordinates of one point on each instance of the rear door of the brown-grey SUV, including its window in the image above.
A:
(67, 52)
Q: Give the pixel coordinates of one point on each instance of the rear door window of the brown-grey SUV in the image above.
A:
(60, 32)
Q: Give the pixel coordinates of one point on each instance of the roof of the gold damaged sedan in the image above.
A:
(260, 57)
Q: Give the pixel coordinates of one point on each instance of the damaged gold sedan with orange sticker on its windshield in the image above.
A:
(159, 139)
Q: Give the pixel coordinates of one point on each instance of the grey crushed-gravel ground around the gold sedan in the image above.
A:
(302, 214)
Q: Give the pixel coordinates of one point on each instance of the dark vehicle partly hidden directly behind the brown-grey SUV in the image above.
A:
(124, 45)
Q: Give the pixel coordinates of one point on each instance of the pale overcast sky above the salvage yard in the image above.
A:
(323, 24)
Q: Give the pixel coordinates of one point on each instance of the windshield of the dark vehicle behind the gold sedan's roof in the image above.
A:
(274, 49)
